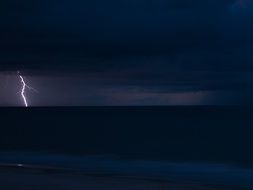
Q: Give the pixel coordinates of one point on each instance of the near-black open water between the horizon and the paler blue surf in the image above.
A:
(212, 134)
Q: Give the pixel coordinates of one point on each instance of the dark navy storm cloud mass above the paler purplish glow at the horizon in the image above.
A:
(163, 44)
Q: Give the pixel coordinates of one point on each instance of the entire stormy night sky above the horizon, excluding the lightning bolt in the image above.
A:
(127, 52)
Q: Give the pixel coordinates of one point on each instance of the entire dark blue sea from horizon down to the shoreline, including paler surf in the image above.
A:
(202, 145)
